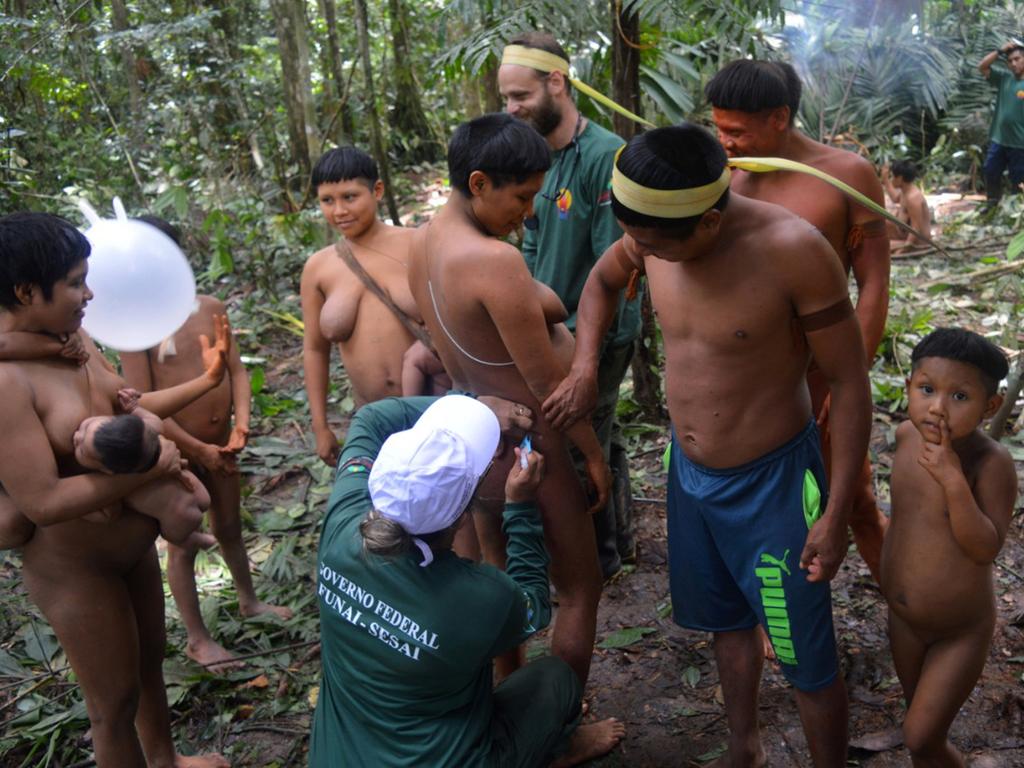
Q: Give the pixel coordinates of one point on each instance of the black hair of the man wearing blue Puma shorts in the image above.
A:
(679, 157)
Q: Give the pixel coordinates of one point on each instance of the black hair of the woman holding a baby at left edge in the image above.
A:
(37, 249)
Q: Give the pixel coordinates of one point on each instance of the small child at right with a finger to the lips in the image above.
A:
(954, 490)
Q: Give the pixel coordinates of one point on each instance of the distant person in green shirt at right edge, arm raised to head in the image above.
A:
(1006, 149)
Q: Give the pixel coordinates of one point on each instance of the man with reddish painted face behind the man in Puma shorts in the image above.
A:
(754, 108)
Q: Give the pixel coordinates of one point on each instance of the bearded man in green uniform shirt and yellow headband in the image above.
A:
(572, 228)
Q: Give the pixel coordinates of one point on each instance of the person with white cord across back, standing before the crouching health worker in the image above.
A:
(487, 318)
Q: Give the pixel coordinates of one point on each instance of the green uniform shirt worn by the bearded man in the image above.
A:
(576, 231)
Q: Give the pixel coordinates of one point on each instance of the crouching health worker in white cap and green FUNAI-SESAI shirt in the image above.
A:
(410, 629)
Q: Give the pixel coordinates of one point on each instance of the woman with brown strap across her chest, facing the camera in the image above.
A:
(338, 305)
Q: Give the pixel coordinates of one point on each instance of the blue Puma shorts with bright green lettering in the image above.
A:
(736, 537)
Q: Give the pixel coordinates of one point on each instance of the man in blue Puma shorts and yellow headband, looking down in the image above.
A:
(746, 292)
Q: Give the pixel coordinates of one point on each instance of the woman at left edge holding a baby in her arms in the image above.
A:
(99, 585)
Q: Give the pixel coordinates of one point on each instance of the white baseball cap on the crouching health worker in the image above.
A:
(424, 478)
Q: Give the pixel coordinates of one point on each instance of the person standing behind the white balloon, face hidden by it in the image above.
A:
(204, 434)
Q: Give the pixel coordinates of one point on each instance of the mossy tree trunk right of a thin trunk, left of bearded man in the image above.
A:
(408, 116)
